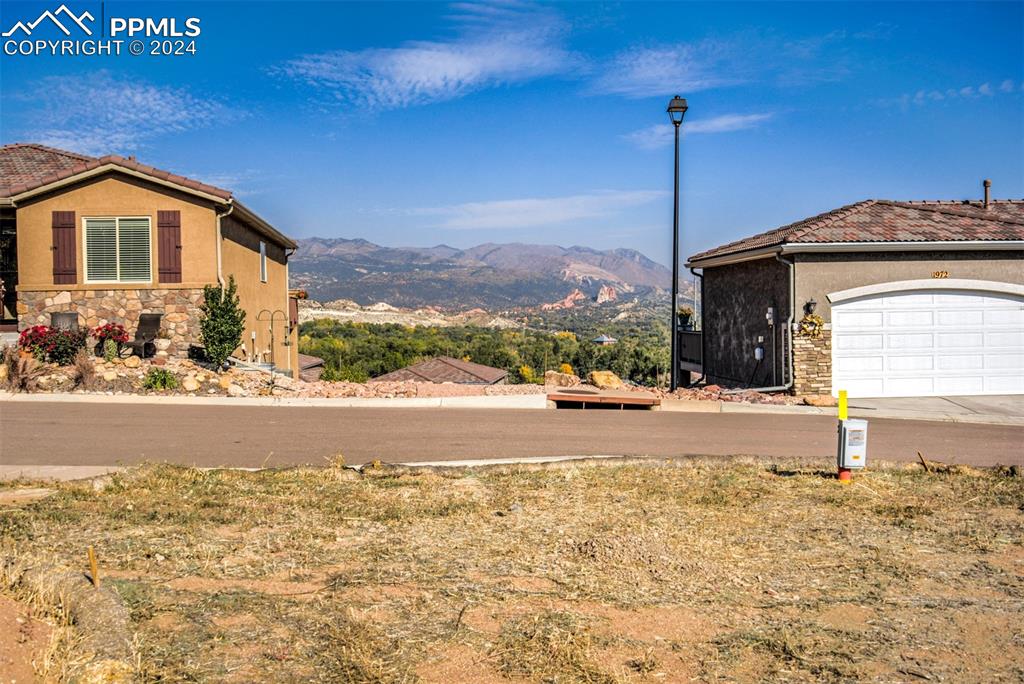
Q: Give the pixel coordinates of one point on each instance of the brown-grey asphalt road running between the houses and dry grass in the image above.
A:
(100, 435)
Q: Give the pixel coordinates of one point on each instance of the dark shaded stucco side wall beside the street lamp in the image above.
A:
(737, 298)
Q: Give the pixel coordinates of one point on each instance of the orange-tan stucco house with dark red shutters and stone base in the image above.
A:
(110, 238)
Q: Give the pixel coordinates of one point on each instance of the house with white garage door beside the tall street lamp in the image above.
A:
(879, 298)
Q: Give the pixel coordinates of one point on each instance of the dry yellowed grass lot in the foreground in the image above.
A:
(635, 573)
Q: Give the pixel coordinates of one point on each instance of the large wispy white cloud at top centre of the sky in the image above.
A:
(495, 45)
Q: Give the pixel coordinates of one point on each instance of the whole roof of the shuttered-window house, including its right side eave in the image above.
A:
(27, 167)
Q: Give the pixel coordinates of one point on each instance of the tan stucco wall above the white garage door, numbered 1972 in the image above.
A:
(819, 275)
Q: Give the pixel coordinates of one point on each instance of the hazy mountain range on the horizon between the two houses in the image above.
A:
(493, 276)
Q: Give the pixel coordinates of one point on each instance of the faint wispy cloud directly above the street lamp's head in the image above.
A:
(718, 63)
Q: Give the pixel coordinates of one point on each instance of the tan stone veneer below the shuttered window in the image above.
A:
(180, 326)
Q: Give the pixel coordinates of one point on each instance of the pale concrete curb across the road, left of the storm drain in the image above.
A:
(501, 402)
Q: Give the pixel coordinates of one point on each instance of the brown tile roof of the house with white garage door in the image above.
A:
(888, 222)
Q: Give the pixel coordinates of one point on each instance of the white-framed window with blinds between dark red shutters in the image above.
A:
(118, 250)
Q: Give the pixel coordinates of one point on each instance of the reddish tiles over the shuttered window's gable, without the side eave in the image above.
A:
(26, 166)
